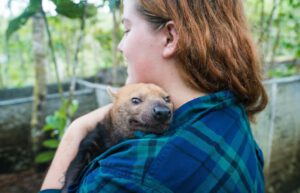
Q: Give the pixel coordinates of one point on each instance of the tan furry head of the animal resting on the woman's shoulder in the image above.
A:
(144, 107)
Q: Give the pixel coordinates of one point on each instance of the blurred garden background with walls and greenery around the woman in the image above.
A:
(58, 56)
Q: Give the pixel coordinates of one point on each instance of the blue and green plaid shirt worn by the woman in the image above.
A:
(209, 147)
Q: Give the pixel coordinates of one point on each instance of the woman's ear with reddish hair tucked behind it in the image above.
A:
(171, 39)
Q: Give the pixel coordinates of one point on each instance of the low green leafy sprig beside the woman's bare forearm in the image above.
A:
(56, 125)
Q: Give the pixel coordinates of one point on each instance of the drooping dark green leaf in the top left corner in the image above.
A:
(16, 23)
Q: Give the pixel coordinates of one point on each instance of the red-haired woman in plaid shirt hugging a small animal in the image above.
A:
(200, 52)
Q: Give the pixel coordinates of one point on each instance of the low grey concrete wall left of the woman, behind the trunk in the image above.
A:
(15, 116)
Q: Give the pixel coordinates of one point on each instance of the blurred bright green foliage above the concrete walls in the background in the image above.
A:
(96, 49)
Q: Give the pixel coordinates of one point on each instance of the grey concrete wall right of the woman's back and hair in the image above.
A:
(278, 132)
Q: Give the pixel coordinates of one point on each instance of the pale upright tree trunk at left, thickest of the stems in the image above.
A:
(39, 93)
